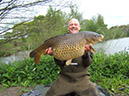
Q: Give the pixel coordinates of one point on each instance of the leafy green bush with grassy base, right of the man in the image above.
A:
(111, 71)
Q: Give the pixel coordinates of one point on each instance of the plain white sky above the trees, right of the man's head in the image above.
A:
(115, 12)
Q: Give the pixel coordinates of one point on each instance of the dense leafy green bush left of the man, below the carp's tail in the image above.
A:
(25, 73)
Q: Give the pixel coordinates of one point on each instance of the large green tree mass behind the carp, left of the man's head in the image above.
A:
(34, 33)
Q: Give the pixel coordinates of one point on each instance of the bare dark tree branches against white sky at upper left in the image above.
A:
(17, 12)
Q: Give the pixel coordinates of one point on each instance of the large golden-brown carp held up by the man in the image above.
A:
(68, 46)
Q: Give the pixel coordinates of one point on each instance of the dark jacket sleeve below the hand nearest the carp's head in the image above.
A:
(87, 58)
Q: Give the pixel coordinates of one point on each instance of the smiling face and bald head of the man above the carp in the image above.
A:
(74, 26)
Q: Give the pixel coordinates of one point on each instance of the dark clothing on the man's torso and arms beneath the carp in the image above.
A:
(75, 72)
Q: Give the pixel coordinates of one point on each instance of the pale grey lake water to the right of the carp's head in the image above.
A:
(113, 46)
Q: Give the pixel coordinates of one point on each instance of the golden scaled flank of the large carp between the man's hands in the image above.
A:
(72, 49)
